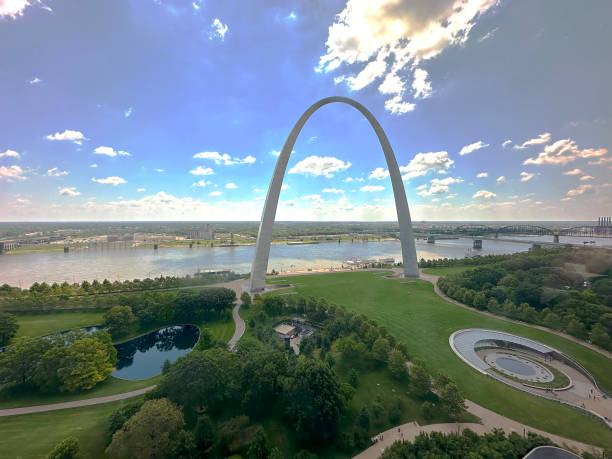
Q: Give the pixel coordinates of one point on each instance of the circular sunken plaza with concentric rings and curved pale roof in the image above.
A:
(532, 367)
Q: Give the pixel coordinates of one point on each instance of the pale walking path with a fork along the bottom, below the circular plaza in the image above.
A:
(489, 421)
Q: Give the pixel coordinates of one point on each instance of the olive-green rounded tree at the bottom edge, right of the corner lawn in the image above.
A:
(151, 432)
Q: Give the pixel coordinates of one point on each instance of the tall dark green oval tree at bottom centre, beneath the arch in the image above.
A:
(314, 401)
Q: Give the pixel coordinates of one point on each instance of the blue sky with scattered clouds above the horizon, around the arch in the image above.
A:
(172, 109)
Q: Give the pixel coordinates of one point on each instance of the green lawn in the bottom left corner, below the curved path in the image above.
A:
(35, 435)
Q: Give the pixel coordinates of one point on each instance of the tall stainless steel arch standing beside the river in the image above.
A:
(264, 238)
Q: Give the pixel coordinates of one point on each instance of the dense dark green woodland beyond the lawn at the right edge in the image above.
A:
(539, 287)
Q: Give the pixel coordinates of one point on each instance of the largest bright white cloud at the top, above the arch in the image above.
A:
(386, 39)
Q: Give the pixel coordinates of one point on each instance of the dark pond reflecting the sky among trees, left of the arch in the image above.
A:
(143, 357)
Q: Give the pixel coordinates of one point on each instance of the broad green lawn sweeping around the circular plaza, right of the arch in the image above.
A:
(414, 314)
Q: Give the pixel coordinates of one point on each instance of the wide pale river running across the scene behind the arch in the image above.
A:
(139, 263)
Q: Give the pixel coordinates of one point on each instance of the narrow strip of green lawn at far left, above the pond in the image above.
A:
(43, 324)
